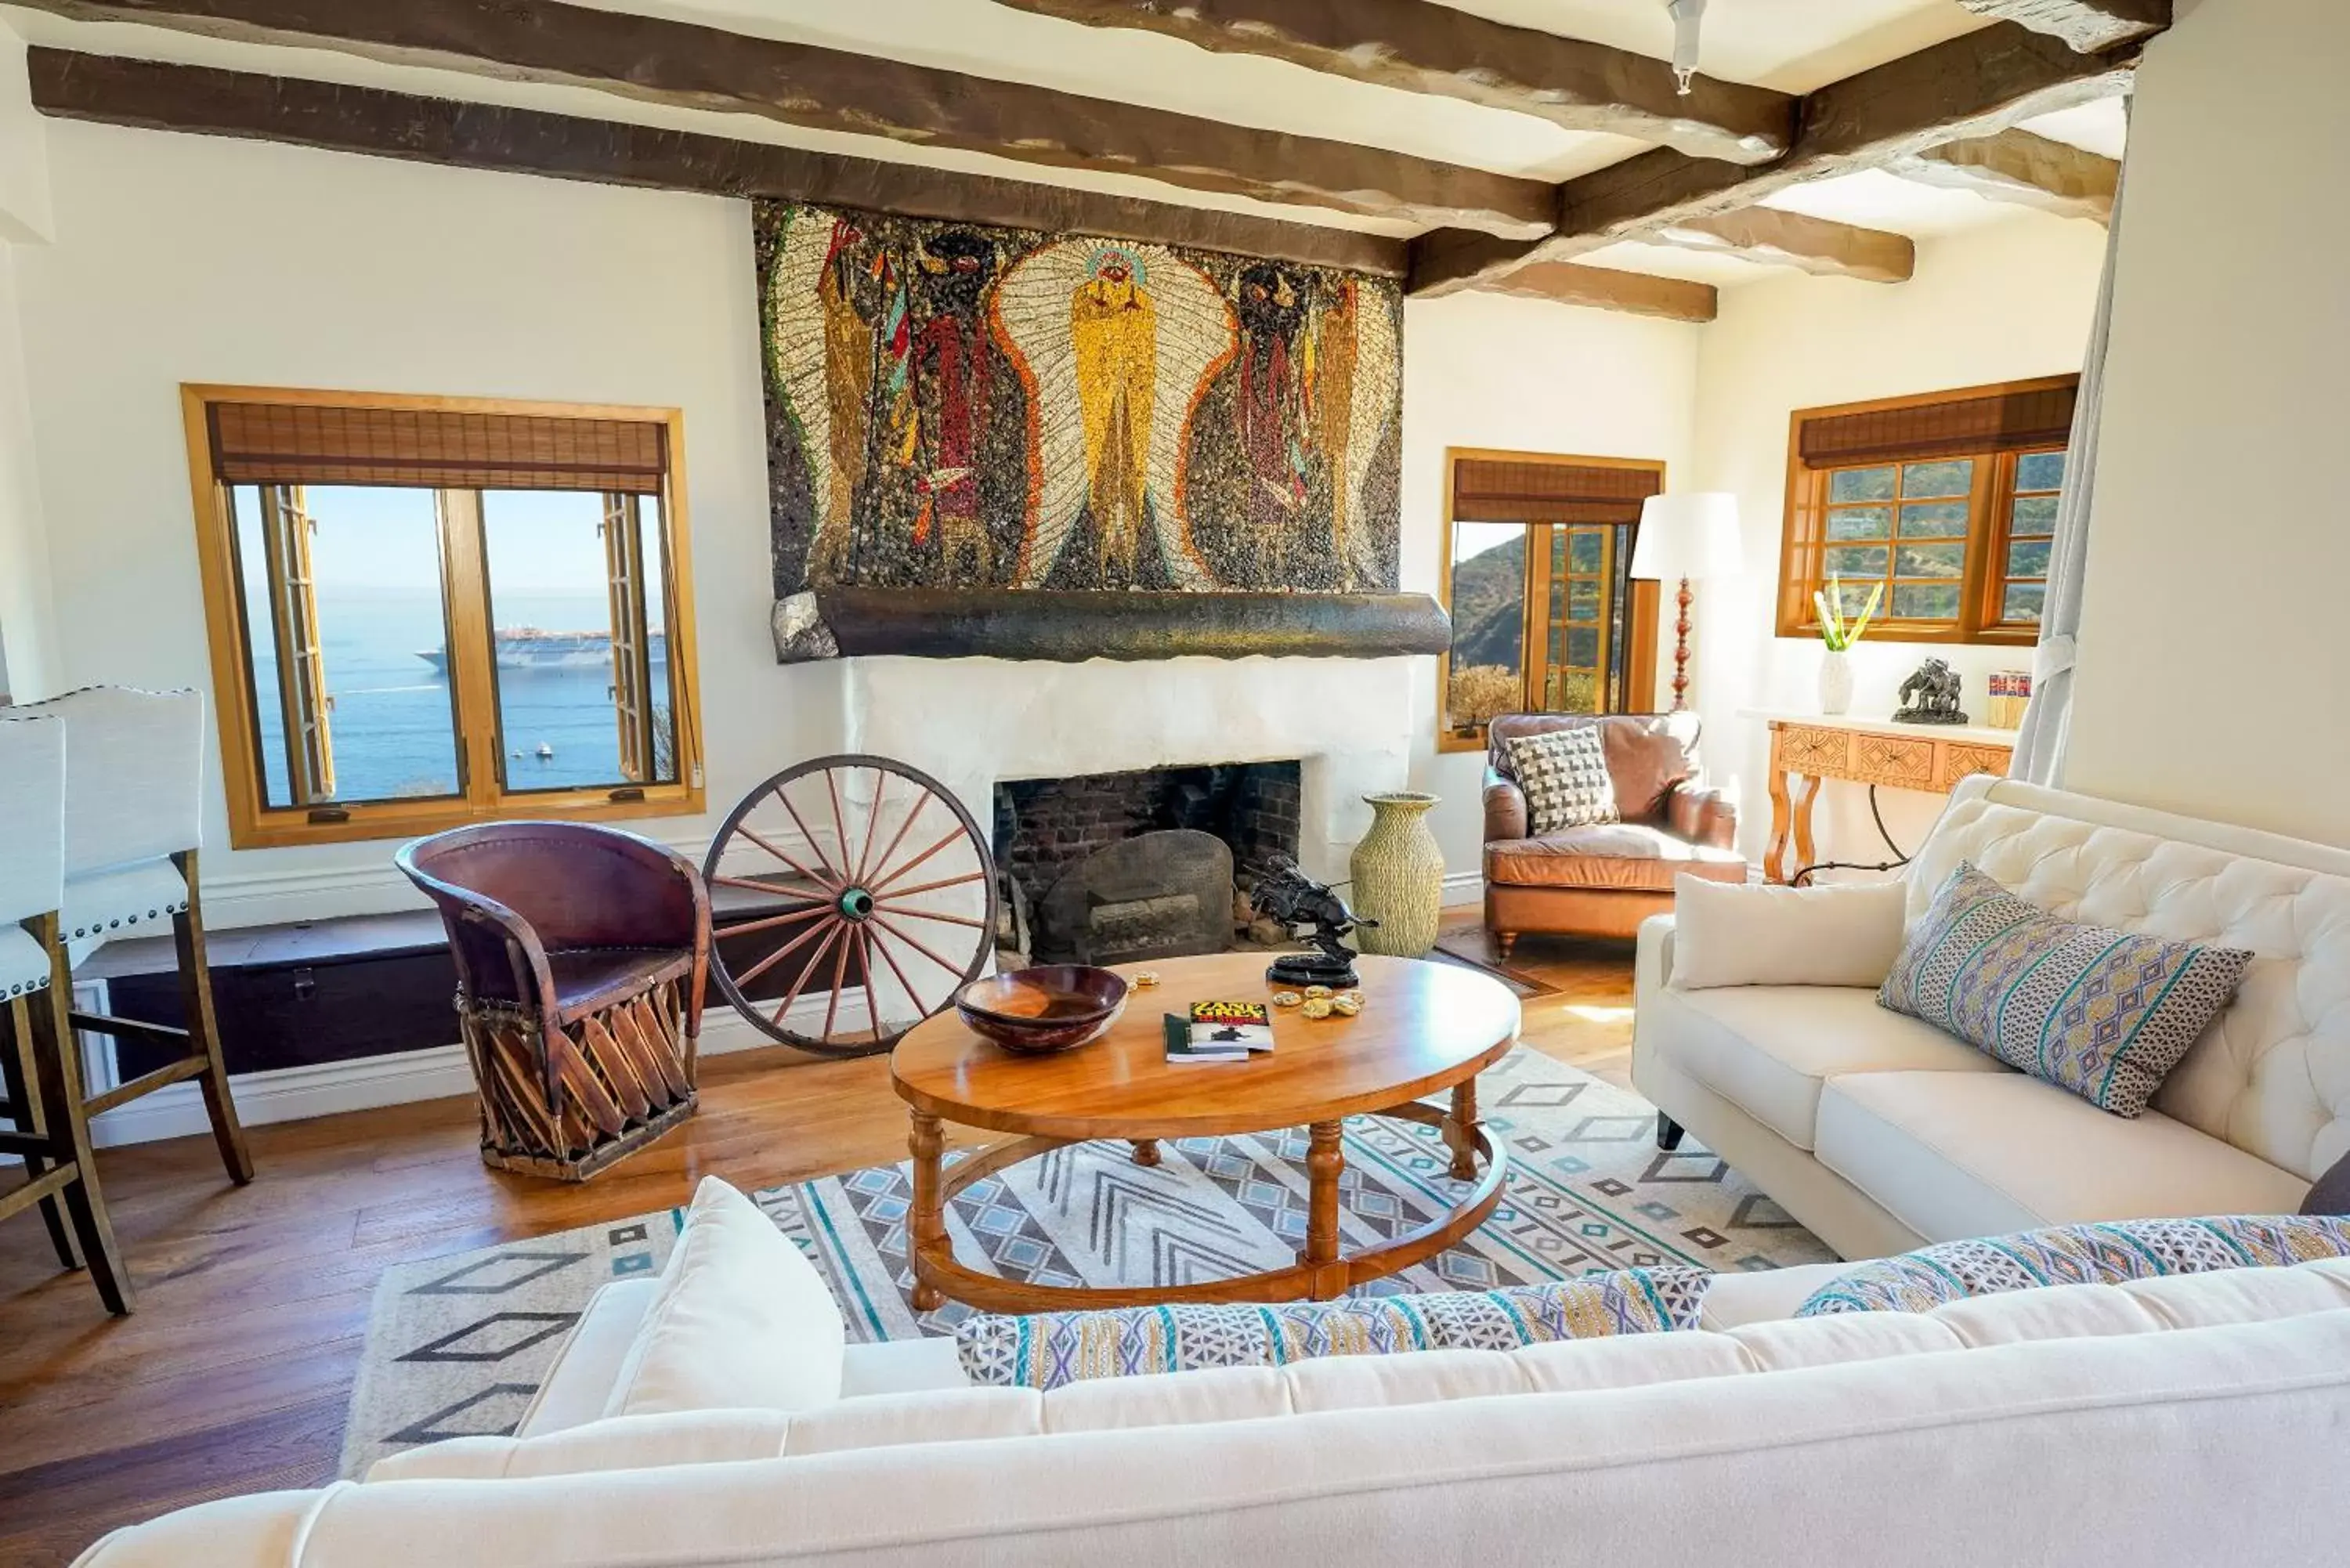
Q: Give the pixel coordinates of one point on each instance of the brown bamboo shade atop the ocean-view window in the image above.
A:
(281, 443)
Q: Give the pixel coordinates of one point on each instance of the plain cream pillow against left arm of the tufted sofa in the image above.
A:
(1761, 934)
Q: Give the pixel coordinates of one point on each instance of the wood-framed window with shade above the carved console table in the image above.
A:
(1945, 504)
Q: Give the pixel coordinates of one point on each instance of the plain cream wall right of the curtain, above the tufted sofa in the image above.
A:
(2213, 669)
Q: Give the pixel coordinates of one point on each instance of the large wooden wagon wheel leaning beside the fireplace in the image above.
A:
(852, 897)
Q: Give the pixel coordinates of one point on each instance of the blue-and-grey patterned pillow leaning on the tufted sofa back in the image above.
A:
(2104, 1014)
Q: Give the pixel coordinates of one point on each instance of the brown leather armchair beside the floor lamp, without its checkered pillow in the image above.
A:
(1606, 880)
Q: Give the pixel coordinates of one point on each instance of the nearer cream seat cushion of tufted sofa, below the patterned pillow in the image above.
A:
(1992, 1153)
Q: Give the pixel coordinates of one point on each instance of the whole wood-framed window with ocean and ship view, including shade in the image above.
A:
(431, 612)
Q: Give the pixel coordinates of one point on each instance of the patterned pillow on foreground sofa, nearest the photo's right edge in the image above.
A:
(2079, 1257)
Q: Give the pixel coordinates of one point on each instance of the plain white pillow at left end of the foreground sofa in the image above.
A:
(741, 1320)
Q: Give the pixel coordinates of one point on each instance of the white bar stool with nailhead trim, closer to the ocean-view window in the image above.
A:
(135, 779)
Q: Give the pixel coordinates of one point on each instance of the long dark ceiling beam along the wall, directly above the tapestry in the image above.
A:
(530, 142)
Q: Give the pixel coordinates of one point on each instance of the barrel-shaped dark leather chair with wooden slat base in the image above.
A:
(582, 958)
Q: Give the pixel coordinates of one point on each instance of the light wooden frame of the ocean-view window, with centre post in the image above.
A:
(255, 824)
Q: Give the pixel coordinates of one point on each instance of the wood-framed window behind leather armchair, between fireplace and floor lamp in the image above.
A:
(1536, 575)
